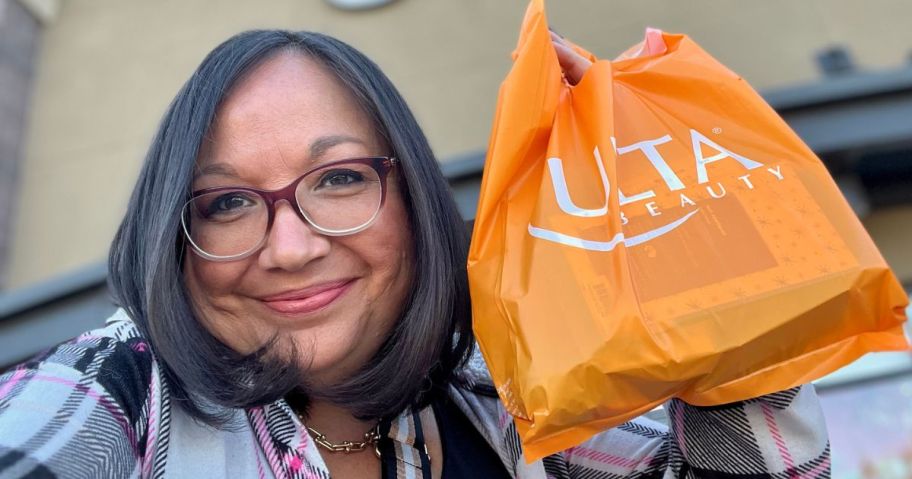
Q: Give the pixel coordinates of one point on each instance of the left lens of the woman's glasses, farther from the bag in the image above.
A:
(226, 223)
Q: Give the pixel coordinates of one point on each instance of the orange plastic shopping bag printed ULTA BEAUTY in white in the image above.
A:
(656, 231)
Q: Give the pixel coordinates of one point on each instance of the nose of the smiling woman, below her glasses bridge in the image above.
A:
(292, 243)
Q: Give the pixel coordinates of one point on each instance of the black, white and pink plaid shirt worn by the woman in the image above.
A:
(98, 406)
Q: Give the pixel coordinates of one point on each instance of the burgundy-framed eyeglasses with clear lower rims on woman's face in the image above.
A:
(336, 199)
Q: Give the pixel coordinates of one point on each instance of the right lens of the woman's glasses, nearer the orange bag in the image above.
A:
(341, 197)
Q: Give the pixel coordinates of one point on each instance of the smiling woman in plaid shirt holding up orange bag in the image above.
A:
(291, 256)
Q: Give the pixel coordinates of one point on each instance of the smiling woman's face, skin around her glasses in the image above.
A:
(336, 298)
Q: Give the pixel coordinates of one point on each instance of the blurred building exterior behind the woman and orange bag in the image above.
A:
(83, 84)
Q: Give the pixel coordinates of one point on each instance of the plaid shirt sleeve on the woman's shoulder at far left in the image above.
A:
(88, 396)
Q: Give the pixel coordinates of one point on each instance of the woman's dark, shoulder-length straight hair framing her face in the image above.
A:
(432, 337)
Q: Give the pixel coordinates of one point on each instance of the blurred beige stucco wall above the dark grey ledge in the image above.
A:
(108, 68)
